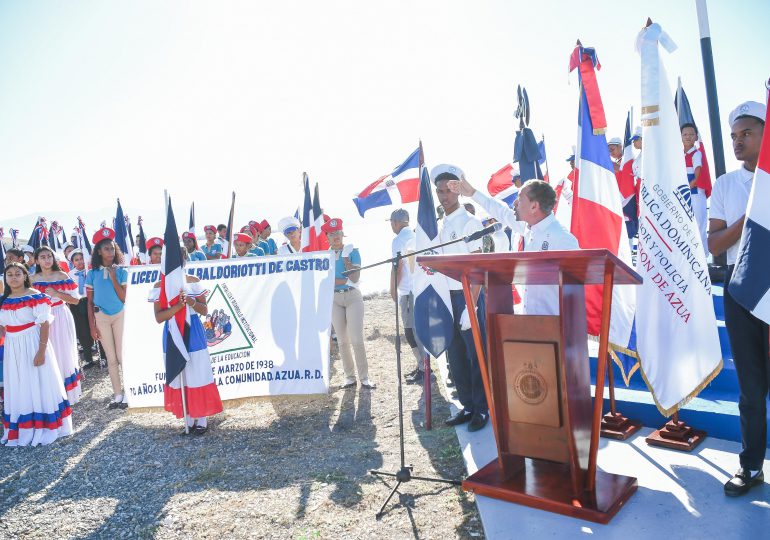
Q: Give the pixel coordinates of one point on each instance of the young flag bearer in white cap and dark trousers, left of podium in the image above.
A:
(461, 354)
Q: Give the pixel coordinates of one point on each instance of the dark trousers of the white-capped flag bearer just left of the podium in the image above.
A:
(464, 363)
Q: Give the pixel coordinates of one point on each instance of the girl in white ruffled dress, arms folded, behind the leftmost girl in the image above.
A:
(50, 280)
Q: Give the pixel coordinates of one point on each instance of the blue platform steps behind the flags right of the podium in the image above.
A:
(714, 410)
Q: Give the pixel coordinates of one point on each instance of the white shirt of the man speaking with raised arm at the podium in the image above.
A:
(547, 235)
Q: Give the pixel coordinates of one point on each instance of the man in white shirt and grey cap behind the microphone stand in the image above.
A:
(401, 288)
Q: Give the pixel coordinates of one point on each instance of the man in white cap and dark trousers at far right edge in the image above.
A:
(748, 334)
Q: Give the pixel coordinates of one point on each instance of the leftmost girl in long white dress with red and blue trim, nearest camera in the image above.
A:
(36, 407)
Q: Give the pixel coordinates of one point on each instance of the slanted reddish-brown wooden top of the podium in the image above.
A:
(584, 266)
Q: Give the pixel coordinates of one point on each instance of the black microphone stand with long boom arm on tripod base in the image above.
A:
(404, 474)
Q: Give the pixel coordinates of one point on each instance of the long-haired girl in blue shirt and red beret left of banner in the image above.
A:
(106, 291)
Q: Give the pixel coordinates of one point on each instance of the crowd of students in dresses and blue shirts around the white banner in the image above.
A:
(60, 312)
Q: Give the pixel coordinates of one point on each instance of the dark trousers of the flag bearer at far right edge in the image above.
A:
(751, 355)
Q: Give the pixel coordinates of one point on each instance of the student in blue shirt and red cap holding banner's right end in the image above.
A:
(348, 307)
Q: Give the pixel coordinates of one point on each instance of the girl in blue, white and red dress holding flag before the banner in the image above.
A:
(200, 392)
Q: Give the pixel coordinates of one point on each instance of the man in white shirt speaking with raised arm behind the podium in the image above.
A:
(532, 217)
